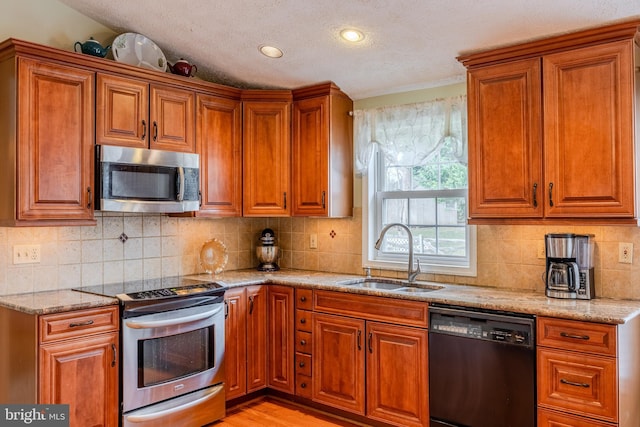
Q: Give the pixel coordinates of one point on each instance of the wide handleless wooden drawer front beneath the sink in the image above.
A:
(388, 310)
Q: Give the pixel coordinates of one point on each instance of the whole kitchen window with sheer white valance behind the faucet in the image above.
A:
(418, 177)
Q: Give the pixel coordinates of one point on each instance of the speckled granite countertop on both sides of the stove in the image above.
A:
(597, 310)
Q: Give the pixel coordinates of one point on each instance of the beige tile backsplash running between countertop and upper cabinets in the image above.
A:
(158, 245)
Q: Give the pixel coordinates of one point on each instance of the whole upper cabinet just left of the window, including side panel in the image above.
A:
(322, 152)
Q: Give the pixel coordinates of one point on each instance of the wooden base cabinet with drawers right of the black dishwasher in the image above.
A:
(587, 373)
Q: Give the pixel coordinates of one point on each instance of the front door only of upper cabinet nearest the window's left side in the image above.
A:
(310, 152)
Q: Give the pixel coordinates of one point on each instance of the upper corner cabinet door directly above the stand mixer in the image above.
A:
(266, 153)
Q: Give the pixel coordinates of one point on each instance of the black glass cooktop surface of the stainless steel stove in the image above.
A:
(166, 287)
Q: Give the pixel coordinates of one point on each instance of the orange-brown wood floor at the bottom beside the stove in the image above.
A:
(271, 412)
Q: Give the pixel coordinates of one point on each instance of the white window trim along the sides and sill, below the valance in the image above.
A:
(369, 237)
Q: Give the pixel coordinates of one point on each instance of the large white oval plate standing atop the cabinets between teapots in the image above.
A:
(136, 49)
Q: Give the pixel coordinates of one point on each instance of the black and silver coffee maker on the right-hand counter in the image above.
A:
(569, 272)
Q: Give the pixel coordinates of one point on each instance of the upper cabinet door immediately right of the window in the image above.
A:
(505, 140)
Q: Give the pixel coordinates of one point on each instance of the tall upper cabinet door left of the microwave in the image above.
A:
(55, 143)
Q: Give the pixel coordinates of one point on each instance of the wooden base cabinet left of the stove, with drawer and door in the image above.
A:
(64, 358)
